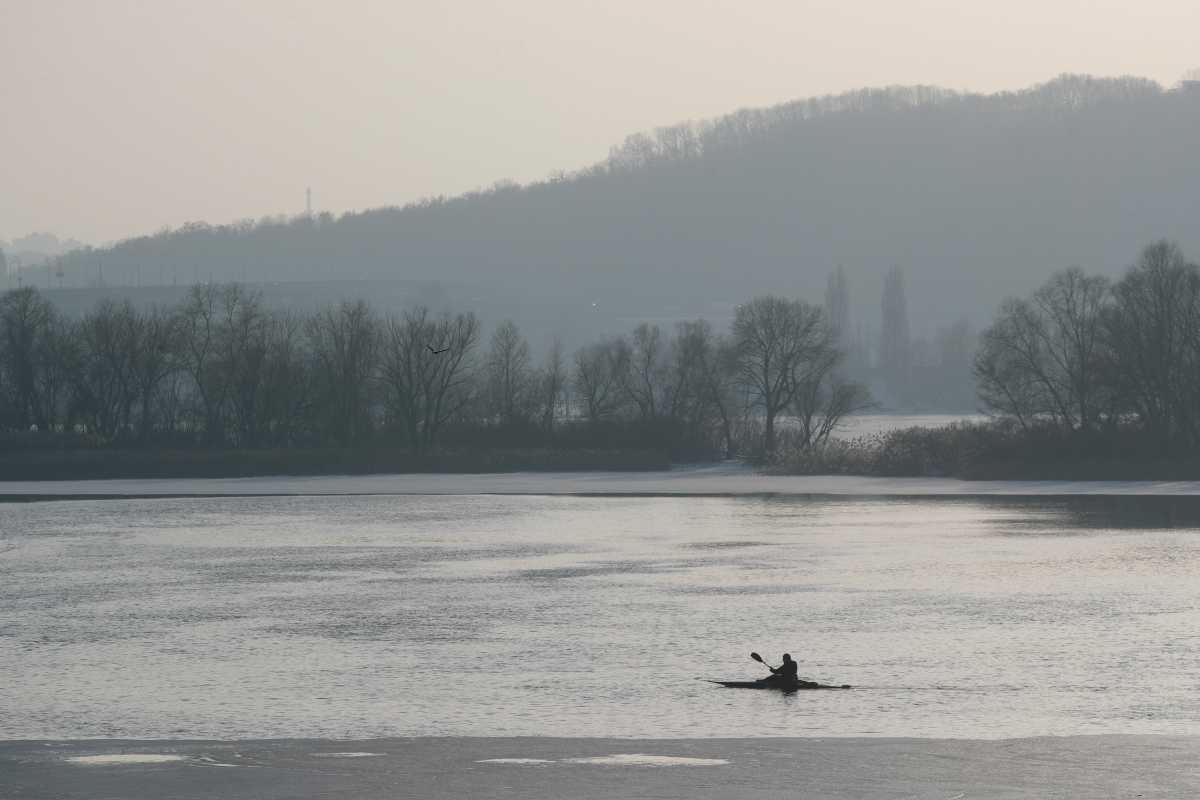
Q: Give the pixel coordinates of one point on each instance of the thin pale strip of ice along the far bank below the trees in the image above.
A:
(710, 480)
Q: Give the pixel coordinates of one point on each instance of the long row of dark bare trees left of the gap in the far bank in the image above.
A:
(225, 371)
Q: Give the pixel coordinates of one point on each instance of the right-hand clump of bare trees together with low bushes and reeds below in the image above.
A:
(1087, 380)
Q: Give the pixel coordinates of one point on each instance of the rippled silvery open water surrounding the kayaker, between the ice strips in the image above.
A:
(502, 616)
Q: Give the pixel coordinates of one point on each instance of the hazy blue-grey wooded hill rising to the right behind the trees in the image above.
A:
(975, 197)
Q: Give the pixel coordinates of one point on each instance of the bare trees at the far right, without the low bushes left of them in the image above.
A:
(1089, 357)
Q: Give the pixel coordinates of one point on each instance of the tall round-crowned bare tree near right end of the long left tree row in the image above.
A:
(777, 340)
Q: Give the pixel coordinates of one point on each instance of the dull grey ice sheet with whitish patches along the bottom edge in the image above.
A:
(542, 768)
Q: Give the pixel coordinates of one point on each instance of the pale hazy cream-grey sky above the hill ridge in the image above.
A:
(123, 117)
